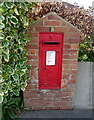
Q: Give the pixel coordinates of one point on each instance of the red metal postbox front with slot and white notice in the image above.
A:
(50, 60)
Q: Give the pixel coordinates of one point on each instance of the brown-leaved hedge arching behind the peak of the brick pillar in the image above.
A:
(78, 16)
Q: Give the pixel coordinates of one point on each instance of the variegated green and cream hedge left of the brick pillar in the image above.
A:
(13, 25)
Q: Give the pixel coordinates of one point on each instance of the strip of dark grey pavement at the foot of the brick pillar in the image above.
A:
(83, 114)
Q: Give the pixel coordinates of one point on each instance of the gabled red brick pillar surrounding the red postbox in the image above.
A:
(35, 98)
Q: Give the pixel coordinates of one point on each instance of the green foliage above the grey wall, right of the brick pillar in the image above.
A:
(86, 50)
